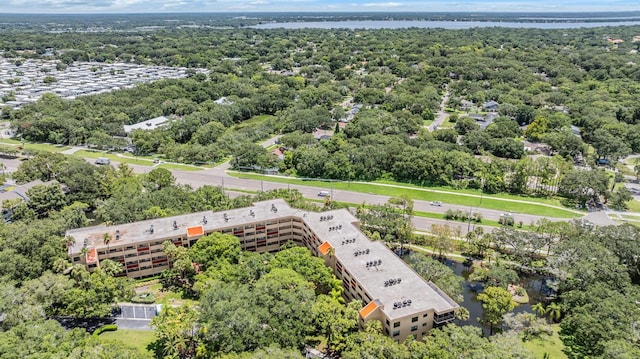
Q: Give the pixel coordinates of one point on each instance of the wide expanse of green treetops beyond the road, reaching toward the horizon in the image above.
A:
(376, 91)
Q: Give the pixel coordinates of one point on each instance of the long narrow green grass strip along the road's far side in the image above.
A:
(428, 194)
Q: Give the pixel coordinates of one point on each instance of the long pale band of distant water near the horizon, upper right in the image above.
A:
(428, 24)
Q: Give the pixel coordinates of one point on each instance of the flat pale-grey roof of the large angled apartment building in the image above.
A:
(370, 263)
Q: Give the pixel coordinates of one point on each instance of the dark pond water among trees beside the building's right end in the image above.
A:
(534, 285)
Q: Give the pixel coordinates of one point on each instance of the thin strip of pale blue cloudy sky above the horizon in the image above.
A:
(155, 6)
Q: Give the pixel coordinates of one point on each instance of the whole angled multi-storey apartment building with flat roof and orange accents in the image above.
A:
(391, 291)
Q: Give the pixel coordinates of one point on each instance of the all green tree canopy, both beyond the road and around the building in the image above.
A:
(376, 92)
